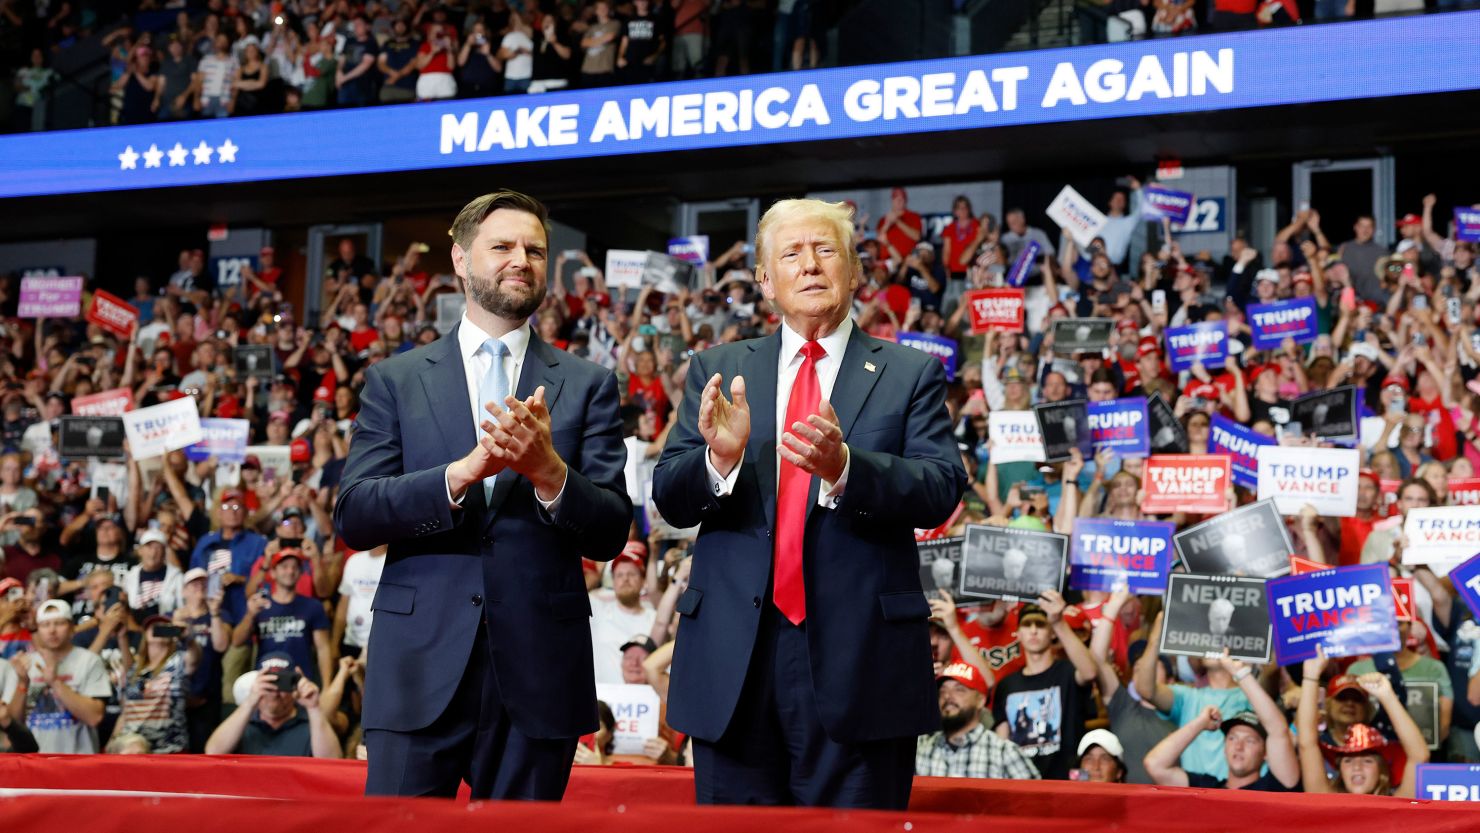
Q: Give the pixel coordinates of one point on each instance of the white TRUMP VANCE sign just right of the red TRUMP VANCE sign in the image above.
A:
(1325, 479)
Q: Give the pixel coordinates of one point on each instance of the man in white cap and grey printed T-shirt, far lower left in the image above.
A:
(61, 696)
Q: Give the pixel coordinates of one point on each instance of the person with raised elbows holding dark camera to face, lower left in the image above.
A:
(279, 715)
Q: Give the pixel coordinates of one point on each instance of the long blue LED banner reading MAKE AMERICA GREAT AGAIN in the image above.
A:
(1288, 66)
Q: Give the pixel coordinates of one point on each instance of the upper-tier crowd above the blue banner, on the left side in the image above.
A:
(229, 58)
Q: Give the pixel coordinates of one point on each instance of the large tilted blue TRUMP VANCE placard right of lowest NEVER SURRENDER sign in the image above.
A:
(1348, 612)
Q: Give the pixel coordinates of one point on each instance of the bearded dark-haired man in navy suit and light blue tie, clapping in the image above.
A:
(491, 464)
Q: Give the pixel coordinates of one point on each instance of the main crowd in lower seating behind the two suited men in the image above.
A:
(178, 604)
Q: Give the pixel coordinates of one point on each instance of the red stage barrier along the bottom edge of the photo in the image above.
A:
(248, 795)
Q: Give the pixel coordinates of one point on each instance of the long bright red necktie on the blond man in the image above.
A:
(790, 591)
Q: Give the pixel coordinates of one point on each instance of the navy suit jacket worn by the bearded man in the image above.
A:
(505, 560)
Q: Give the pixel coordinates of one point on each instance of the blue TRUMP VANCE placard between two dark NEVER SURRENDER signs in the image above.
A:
(1108, 554)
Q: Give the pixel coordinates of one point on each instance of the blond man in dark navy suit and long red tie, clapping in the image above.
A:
(803, 667)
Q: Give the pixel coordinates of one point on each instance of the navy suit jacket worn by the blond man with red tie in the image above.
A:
(868, 630)
